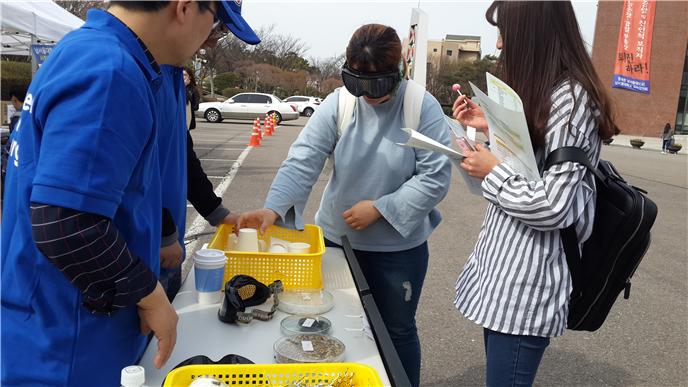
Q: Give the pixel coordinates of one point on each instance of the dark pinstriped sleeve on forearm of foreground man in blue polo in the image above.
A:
(92, 254)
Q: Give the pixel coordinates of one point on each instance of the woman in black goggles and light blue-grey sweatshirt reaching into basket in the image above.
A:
(382, 196)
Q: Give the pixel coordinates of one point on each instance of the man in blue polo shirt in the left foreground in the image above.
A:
(82, 210)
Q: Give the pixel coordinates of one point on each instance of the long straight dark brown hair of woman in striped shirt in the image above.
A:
(542, 47)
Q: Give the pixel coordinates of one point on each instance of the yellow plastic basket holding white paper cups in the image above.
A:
(296, 271)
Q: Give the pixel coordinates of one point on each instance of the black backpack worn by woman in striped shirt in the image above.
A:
(619, 240)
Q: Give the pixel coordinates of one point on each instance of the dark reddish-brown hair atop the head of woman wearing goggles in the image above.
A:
(374, 48)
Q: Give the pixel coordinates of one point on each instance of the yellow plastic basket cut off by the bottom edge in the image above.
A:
(274, 374)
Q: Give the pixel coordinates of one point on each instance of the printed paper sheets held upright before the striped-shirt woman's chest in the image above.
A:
(509, 135)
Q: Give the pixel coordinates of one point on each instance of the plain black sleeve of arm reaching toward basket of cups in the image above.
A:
(199, 189)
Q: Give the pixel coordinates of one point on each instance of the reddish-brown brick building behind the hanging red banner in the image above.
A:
(646, 114)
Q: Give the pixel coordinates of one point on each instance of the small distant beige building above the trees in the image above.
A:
(454, 48)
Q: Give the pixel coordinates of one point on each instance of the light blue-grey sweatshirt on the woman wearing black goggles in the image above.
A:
(405, 183)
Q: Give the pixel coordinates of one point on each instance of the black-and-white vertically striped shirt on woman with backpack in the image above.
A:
(517, 281)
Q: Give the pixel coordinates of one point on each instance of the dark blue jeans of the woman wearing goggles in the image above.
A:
(395, 279)
